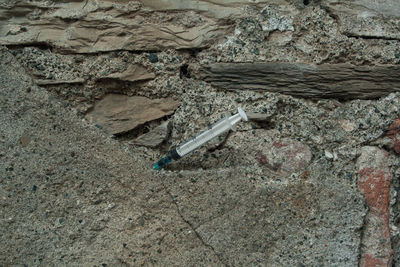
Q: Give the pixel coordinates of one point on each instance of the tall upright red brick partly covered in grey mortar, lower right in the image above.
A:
(374, 182)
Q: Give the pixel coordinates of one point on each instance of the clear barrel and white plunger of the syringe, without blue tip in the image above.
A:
(218, 128)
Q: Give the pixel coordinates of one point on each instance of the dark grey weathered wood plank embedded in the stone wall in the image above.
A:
(343, 81)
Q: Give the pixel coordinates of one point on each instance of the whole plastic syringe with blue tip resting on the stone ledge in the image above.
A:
(218, 128)
